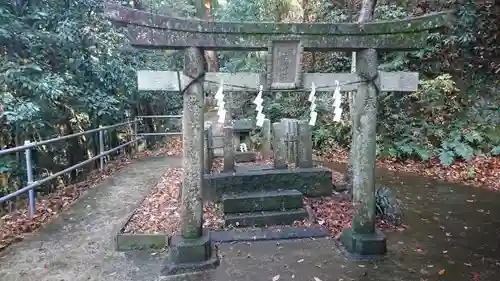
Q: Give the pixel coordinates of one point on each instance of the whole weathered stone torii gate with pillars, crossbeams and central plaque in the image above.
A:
(192, 250)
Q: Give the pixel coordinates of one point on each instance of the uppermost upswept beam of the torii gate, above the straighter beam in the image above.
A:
(418, 24)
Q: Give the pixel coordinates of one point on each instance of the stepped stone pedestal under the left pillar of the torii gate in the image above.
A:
(190, 255)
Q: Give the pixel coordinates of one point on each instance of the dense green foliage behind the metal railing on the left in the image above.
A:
(64, 71)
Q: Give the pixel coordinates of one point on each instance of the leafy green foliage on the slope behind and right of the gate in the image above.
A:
(453, 116)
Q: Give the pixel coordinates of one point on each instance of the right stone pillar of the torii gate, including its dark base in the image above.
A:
(363, 238)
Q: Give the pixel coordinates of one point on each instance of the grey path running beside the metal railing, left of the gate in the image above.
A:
(79, 245)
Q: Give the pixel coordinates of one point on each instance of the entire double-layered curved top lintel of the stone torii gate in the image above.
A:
(148, 30)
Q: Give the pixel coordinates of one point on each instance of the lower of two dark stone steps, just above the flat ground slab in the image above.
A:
(265, 218)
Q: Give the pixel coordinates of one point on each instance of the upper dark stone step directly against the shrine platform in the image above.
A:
(276, 200)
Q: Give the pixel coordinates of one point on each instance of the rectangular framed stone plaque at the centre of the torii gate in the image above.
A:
(285, 64)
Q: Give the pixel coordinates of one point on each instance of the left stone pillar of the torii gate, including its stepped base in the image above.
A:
(192, 249)
